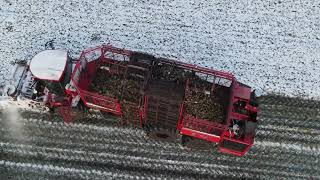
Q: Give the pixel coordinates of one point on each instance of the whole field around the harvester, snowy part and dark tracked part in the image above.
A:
(270, 45)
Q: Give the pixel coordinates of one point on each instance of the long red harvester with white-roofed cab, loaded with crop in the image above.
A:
(164, 97)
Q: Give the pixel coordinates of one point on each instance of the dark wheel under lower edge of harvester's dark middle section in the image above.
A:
(163, 134)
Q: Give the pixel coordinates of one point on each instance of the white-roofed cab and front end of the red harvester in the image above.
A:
(43, 78)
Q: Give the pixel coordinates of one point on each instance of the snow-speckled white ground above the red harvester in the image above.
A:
(270, 45)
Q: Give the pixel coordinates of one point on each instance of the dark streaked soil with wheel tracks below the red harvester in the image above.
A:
(287, 146)
